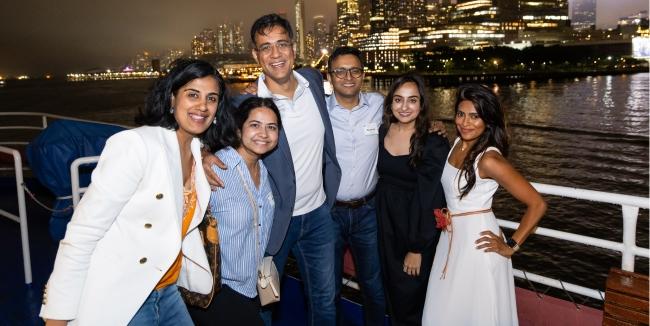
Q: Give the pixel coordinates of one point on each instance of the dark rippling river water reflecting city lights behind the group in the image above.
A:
(588, 132)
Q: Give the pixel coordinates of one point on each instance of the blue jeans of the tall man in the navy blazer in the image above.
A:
(310, 238)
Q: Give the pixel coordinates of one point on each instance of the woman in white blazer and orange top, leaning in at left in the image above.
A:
(133, 237)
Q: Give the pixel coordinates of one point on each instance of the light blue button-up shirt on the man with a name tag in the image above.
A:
(357, 143)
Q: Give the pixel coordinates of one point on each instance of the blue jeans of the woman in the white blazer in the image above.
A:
(162, 307)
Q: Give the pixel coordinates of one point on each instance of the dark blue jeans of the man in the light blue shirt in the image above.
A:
(357, 227)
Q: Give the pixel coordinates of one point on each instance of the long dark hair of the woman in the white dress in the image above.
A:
(489, 110)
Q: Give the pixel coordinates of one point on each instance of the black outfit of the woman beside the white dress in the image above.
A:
(405, 199)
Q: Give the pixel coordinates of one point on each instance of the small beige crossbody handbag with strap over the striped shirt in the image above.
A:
(268, 280)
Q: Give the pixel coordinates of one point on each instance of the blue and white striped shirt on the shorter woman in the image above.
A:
(237, 233)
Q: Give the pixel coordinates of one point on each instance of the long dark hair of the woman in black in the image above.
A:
(419, 137)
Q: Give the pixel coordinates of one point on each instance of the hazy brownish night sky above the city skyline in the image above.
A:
(49, 36)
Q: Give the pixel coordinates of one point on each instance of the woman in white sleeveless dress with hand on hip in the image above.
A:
(471, 280)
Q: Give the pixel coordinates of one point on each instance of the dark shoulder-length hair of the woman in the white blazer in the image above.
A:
(159, 100)
